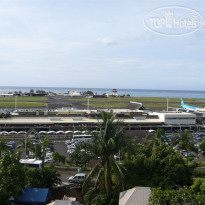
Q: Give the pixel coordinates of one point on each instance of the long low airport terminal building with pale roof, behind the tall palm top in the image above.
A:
(71, 119)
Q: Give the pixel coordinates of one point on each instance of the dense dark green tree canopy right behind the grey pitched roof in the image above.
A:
(164, 168)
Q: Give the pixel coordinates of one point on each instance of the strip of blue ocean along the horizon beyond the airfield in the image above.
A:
(131, 92)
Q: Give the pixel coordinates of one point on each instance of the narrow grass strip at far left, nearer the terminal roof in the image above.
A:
(22, 104)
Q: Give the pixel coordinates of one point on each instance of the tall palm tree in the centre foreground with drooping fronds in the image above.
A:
(105, 145)
